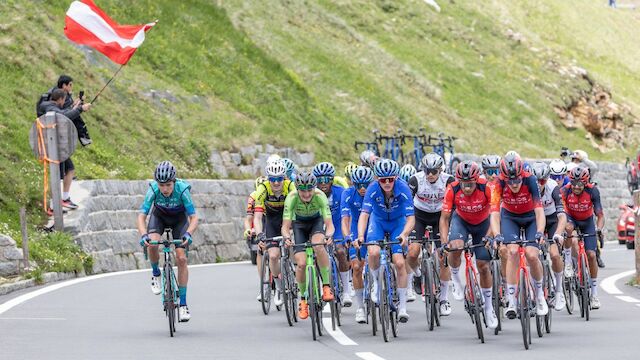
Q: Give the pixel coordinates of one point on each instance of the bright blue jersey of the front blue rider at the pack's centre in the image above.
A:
(398, 206)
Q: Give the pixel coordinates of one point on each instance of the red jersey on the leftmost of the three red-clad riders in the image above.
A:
(473, 209)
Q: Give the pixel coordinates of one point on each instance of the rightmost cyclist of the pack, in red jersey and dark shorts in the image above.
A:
(581, 202)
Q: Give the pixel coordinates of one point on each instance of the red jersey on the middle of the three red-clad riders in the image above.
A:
(521, 203)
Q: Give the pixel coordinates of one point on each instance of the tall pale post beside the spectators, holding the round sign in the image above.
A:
(51, 138)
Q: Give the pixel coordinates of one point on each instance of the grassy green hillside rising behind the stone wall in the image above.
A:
(314, 75)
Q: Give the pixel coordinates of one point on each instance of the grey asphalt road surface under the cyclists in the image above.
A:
(117, 317)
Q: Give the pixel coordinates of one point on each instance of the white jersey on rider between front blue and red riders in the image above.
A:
(428, 196)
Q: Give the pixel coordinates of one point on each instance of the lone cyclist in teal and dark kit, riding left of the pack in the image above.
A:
(172, 208)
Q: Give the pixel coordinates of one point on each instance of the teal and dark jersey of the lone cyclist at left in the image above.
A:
(178, 202)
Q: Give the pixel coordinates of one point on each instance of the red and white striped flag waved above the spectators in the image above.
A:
(87, 24)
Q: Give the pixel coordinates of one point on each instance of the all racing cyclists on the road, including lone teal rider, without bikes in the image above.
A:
(497, 203)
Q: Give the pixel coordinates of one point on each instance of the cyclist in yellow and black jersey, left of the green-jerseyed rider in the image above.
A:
(270, 197)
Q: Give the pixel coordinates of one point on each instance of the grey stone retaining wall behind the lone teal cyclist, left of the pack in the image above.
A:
(105, 223)
